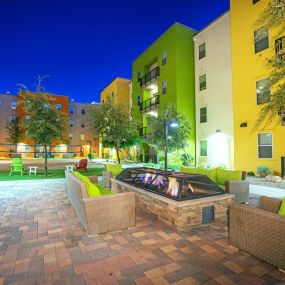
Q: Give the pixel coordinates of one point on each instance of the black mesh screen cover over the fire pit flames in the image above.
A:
(178, 186)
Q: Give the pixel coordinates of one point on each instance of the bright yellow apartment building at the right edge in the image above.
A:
(251, 88)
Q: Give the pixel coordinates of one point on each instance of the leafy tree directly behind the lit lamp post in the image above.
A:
(178, 138)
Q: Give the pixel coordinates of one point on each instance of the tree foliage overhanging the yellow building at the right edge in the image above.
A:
(273, 17)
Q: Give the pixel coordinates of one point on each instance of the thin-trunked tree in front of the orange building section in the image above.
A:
(43, 123)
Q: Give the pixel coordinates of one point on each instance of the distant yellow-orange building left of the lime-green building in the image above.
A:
(119, 92)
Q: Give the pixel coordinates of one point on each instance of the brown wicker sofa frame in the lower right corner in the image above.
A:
(259, 231)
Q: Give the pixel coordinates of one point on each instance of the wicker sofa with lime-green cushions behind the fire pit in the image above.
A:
(232, 181)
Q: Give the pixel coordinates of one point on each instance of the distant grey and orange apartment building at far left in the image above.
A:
(79, 140)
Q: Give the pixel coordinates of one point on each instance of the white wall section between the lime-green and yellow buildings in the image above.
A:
(218, 95)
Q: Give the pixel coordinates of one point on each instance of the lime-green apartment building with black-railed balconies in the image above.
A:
(164, 73)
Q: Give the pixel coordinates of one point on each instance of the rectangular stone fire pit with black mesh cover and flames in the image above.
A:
(179, 199)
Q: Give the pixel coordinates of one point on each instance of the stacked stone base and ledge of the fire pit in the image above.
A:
(181, 215)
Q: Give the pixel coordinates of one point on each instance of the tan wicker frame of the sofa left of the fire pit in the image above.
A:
(103, 213)
